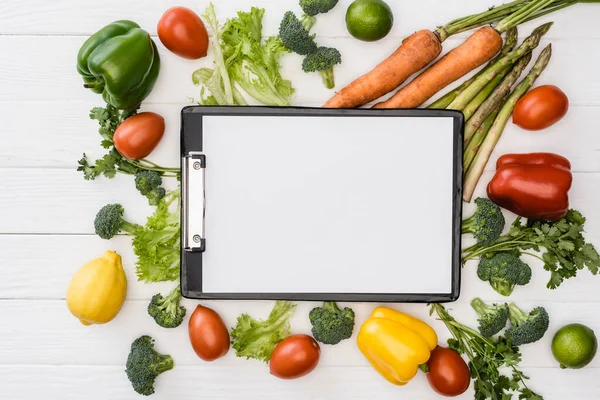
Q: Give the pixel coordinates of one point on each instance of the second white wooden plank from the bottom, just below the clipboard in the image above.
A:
(55, 337)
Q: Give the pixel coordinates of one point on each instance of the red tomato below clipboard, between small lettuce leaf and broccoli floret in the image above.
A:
(294, 356)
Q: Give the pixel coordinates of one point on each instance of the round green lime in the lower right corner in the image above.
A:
(574, 346)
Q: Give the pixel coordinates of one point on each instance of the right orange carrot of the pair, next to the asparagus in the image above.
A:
(479, 48)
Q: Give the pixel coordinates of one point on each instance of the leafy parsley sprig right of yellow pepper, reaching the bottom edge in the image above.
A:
(487, 357)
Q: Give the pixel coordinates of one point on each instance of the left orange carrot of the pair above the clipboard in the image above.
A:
(416, 51)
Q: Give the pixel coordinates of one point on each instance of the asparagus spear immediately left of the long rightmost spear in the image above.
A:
(495, 98)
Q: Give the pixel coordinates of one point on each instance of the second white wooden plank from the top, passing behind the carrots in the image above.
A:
(20, 57)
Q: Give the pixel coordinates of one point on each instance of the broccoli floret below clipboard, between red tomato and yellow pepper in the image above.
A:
(331, 324)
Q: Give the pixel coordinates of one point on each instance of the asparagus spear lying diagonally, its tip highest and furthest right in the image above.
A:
(461, 101)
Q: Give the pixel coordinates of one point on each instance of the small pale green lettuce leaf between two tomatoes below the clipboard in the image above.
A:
(252, 338)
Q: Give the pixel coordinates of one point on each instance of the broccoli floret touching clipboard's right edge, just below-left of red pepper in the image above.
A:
(487, 224)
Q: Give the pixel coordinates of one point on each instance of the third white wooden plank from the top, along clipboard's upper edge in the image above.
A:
(55, 138)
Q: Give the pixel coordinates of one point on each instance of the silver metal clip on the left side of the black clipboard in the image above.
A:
(194, 201)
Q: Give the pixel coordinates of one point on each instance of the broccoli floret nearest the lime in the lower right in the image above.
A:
(526, 328)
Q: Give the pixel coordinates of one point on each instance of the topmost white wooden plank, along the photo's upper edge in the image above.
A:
(55, 17)
